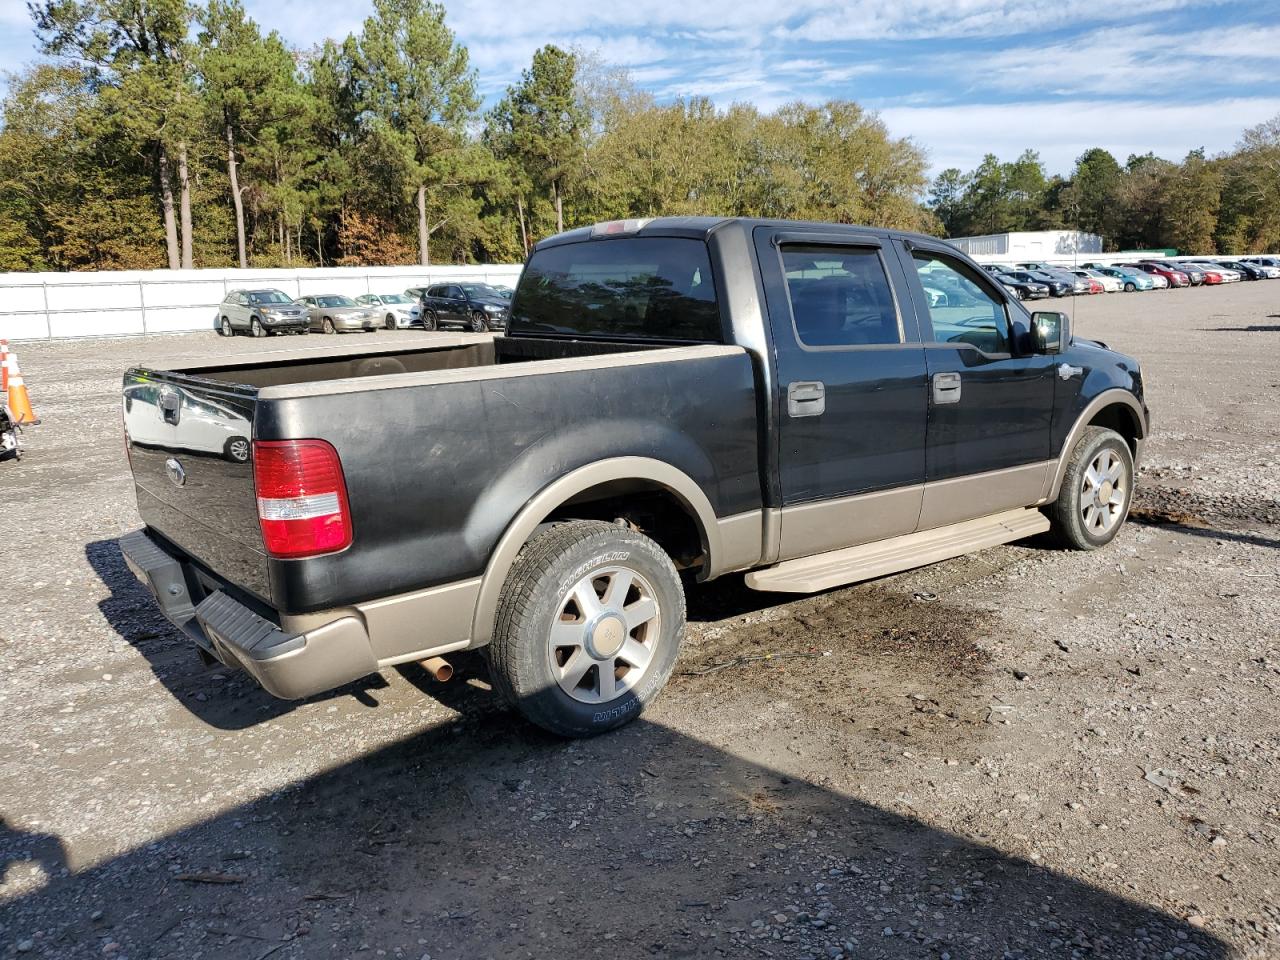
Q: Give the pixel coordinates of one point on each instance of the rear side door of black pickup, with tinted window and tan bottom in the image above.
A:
(852, 377)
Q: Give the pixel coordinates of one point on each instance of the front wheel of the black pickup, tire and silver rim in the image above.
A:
(1098, 491)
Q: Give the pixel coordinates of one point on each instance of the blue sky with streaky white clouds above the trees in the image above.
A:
(962, 77)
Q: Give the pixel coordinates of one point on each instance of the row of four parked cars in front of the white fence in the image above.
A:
(259, 313)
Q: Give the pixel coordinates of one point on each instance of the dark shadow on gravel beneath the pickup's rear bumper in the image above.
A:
(232, 701)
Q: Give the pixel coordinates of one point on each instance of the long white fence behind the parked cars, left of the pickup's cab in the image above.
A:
(121, 303)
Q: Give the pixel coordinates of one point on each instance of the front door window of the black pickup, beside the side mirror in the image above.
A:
(961, 307)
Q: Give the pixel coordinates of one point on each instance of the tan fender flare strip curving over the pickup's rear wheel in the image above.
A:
(568, 487)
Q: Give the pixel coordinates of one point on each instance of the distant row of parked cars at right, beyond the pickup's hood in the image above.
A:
(1036, 281)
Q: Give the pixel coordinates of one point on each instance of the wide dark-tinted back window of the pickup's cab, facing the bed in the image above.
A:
(633, 289)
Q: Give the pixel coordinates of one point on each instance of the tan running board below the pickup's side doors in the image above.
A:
(822, 572)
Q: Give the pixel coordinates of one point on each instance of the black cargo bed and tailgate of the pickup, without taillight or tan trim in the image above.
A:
(441, 444)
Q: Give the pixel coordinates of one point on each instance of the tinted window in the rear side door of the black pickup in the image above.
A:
(840, 296)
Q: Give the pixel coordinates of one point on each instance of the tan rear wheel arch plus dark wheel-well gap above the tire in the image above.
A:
(605, 482)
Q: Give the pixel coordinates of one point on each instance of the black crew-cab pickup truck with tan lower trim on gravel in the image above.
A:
(682, 395)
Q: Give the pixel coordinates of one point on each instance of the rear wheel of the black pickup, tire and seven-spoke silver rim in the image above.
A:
(589, 627)
